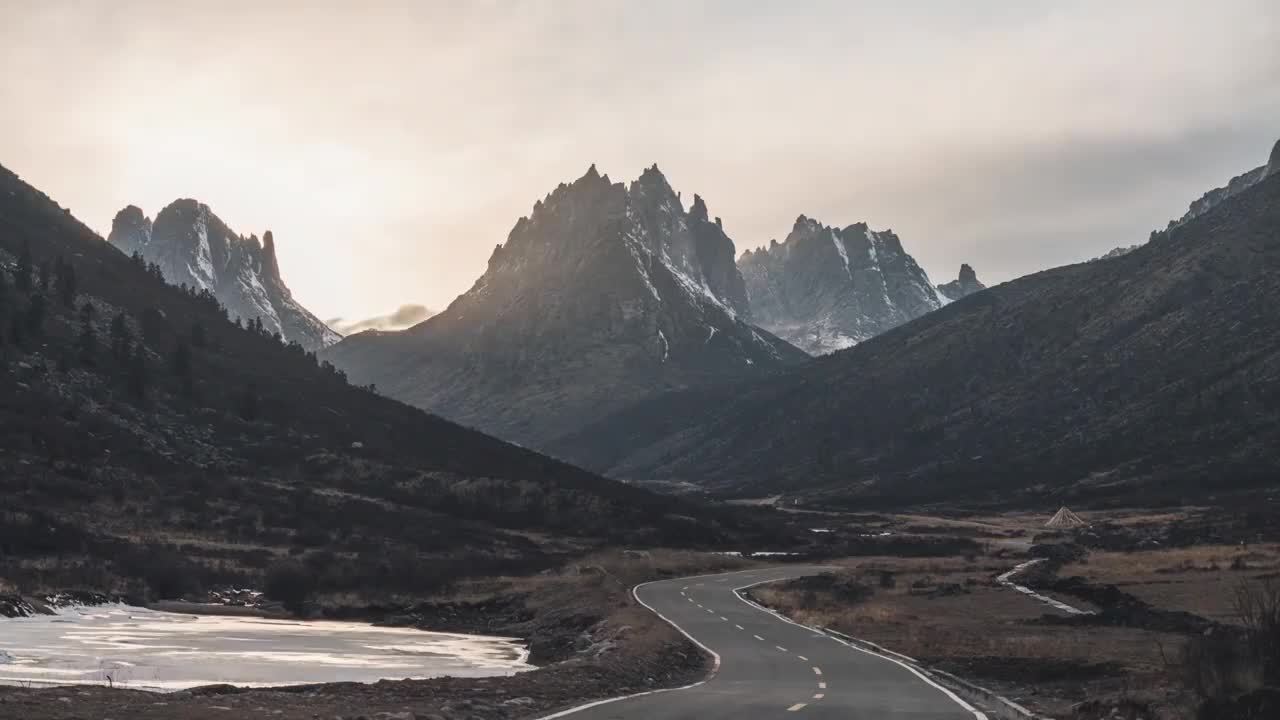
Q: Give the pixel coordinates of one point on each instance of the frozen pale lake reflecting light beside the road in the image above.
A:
(164, 651)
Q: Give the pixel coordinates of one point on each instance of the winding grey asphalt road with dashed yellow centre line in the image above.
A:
(771, 668)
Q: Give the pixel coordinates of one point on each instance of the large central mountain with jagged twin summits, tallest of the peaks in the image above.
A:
(606, 294)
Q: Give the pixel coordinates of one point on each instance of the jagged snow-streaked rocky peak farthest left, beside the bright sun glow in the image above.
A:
(195, 248)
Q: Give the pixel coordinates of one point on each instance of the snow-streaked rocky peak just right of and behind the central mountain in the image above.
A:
(826, 289)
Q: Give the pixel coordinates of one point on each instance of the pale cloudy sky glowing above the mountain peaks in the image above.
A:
(391, 145)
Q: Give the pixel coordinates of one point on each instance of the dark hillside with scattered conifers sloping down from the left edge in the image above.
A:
(145, 438)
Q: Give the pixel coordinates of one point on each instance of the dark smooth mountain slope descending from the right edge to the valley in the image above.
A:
(1153, 377)
